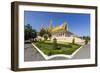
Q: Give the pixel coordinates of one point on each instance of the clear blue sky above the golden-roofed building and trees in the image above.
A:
(78, 23)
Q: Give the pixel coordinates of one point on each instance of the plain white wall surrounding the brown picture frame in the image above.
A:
(5, 40)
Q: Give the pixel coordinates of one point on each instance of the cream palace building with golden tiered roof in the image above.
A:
(61, 33)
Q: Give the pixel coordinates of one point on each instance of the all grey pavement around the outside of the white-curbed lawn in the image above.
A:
(31, 54)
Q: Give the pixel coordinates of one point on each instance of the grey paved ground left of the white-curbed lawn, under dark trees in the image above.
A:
(31, 54)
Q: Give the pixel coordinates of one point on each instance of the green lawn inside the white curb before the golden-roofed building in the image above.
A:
(65, 48)
